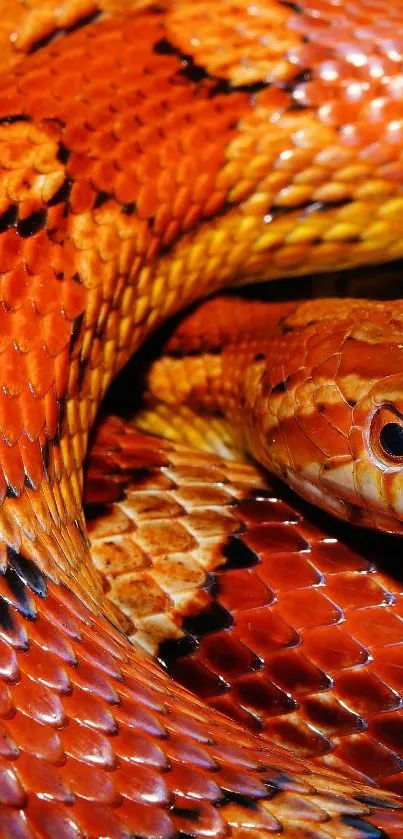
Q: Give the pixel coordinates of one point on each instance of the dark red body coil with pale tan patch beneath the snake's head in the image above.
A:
(269, 613)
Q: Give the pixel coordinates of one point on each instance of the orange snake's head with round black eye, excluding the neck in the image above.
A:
(329, 420)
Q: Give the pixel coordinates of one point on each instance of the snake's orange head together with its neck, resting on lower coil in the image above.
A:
(303, 388)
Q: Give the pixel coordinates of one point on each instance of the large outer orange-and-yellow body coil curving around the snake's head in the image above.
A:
(147, 159)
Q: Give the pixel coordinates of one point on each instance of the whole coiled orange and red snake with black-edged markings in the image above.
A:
(153, 154)
